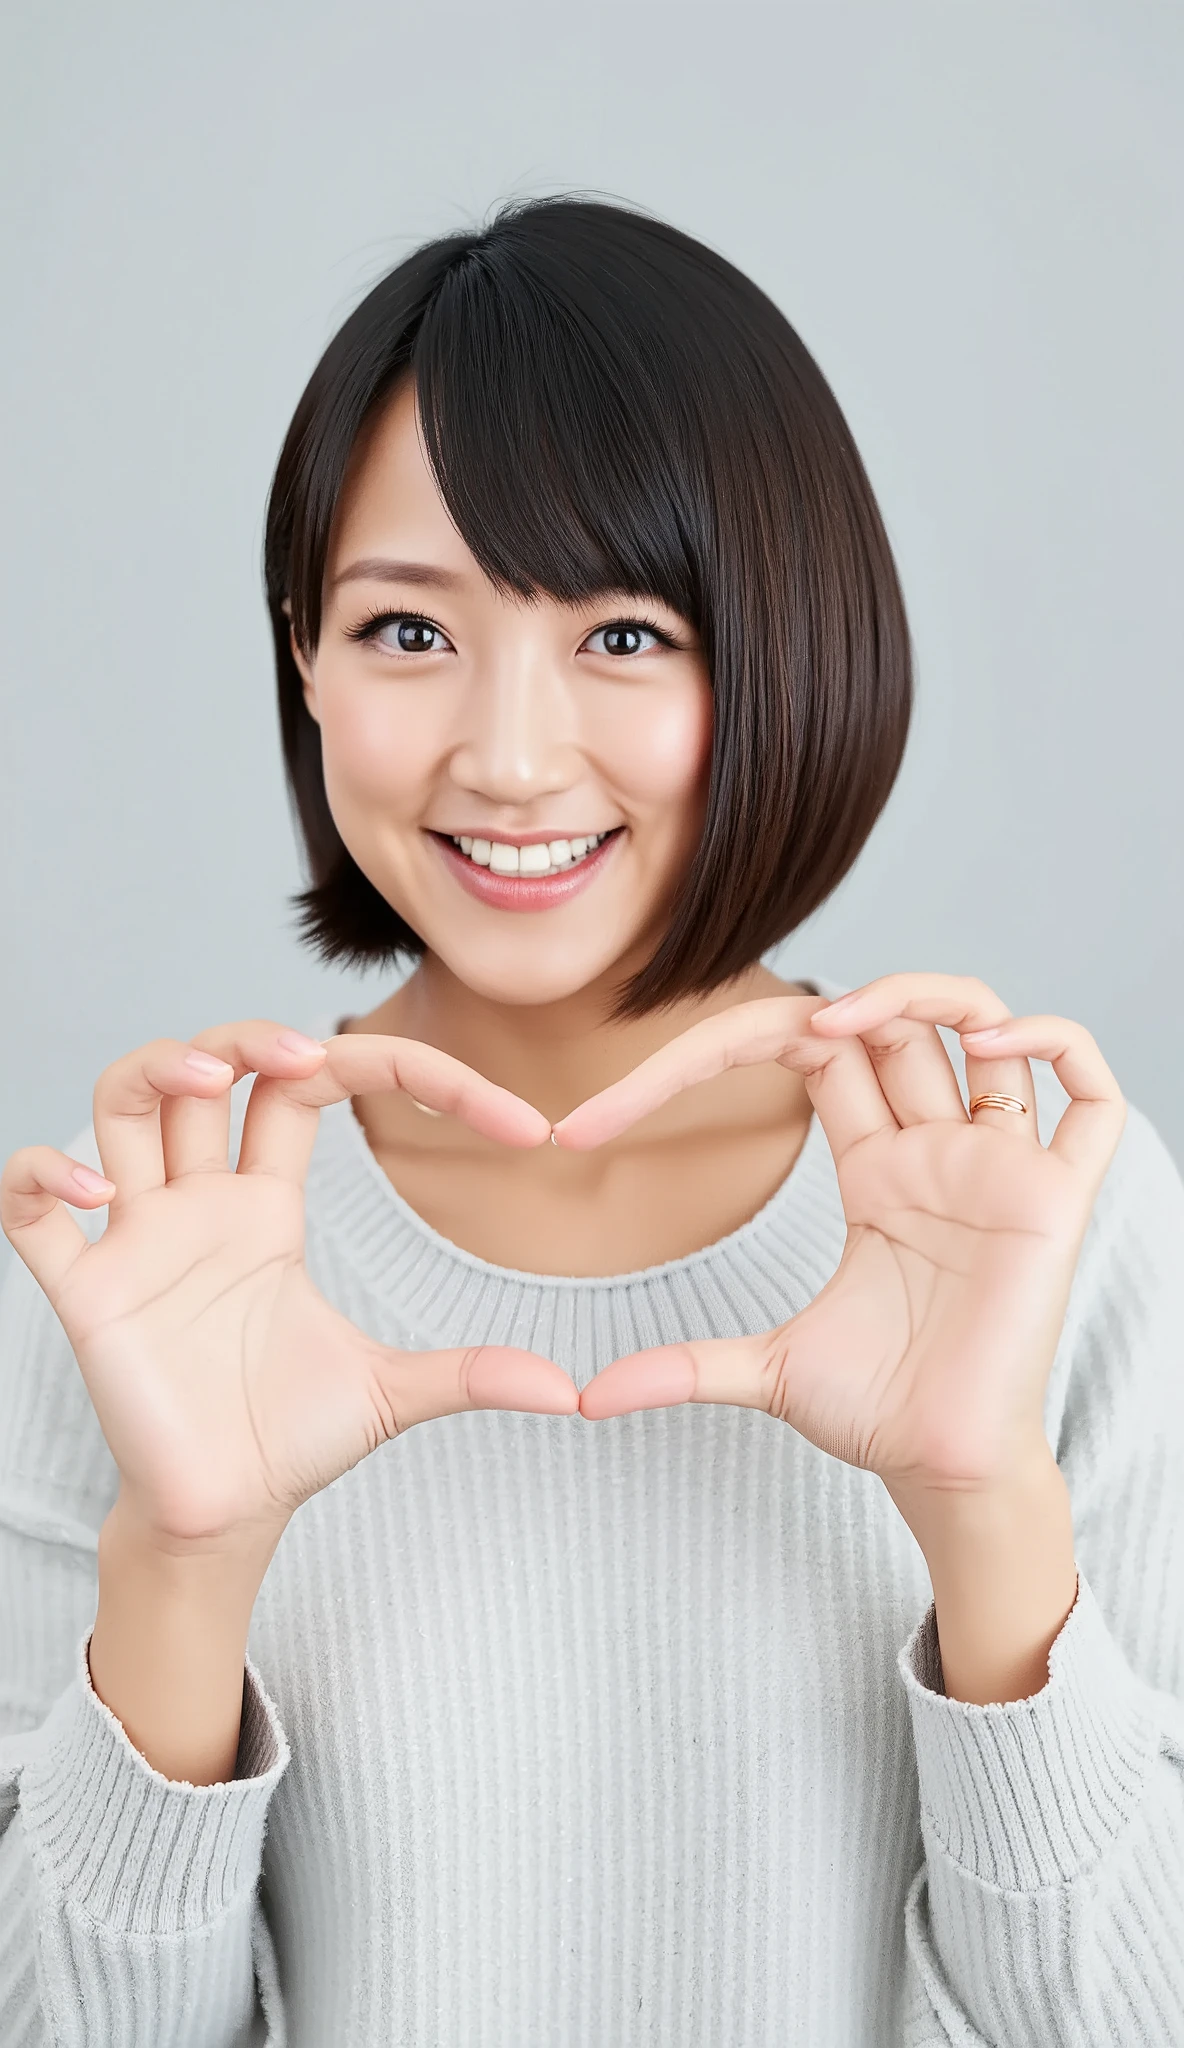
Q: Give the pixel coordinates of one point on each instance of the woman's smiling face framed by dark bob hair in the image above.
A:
(474, 742)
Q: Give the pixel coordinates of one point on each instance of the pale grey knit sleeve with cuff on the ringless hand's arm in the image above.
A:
(130, 1904)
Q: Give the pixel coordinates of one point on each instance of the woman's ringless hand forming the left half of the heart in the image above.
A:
(226, 1385)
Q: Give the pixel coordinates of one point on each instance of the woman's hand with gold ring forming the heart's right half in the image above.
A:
(927, 1355)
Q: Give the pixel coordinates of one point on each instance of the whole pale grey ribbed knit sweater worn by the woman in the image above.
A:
(597, 1736)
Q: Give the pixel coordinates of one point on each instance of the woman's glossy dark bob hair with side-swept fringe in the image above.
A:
(607, 404)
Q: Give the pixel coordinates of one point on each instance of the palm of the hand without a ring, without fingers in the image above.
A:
(224, 1381)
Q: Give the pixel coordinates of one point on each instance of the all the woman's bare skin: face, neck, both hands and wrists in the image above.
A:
(230, 1392)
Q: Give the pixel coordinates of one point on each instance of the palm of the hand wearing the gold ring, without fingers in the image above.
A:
(956, 1273)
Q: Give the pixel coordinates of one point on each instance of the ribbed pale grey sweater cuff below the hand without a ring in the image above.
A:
(136, 1850)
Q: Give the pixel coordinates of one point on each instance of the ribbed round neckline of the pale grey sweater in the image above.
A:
(392, 1238)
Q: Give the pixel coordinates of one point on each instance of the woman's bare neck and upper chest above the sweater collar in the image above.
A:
(683, 1179)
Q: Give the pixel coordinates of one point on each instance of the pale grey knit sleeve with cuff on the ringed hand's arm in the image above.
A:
(1050, 1908)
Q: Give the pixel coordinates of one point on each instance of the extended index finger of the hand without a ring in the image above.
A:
(282, 1117)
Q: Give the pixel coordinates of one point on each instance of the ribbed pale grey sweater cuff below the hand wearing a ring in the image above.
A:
(1031, 1793)
